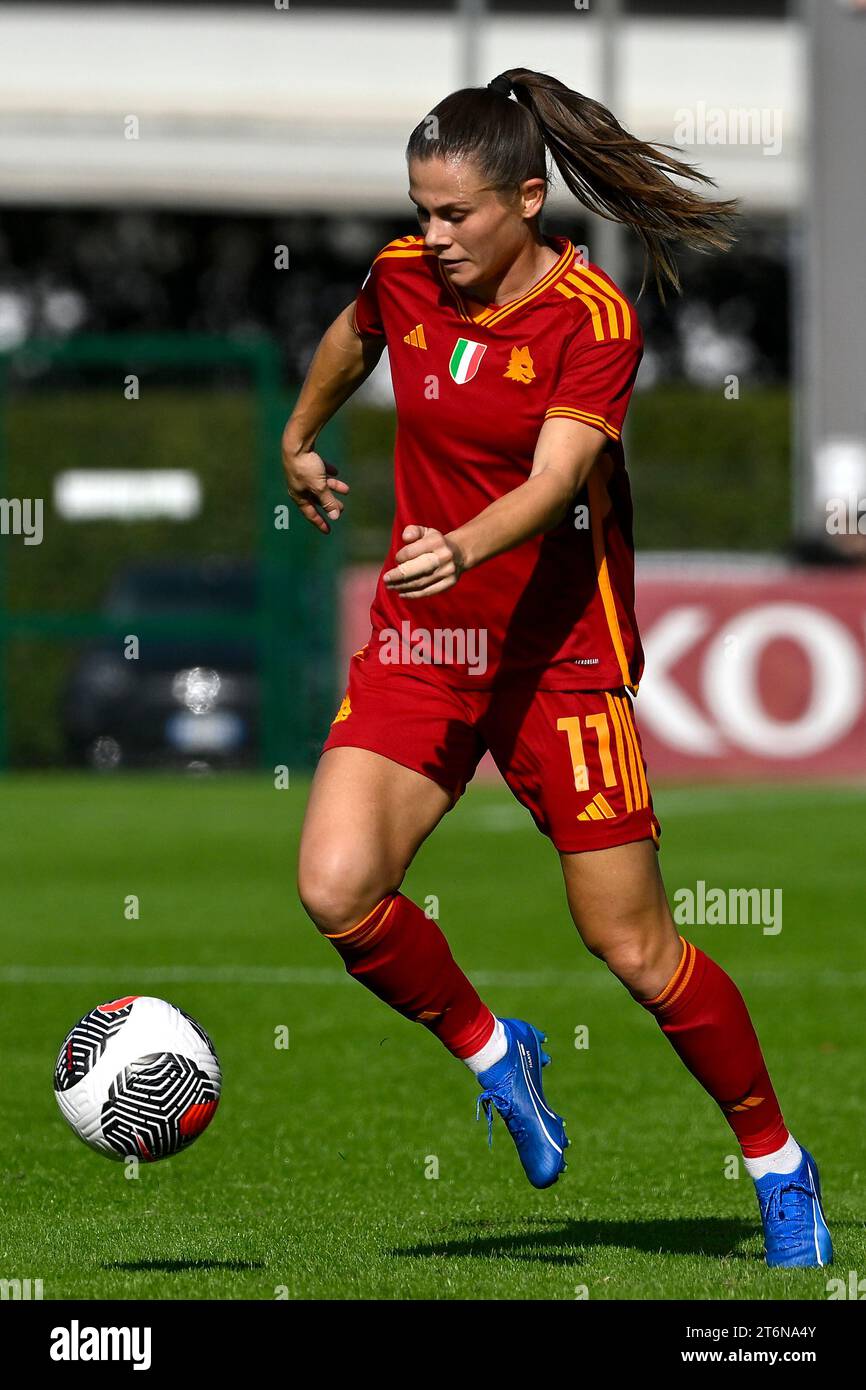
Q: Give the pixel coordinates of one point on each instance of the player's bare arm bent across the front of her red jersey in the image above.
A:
(432, 562)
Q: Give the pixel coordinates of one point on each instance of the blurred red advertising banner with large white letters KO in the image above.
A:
(753, 669)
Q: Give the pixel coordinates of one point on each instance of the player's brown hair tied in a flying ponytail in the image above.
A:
(608, 170)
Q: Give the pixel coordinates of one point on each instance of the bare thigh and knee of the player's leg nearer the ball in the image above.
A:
(365, 822)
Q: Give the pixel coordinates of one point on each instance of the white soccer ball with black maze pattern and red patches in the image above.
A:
(138, 1078)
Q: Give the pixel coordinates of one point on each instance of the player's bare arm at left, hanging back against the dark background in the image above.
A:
(340, 365)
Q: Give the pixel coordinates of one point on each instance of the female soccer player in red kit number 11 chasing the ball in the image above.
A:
(504, 616)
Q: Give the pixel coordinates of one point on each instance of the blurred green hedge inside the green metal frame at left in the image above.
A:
(70, 571)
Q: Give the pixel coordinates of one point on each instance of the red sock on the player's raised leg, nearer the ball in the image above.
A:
(404, 958)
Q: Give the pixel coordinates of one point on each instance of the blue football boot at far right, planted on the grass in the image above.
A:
(794, 1228)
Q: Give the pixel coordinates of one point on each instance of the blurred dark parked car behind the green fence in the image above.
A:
(188, 701)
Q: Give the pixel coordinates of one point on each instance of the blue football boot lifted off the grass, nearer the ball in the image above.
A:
(514, 1086)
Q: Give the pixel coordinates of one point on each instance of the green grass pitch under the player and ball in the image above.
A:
(316, 1178)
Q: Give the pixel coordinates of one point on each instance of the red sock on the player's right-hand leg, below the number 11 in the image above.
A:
(704, 1015)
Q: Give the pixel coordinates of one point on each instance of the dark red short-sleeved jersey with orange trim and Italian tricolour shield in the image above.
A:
(473, 389)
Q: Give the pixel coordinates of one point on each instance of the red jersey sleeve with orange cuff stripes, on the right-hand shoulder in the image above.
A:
(597, 377)
